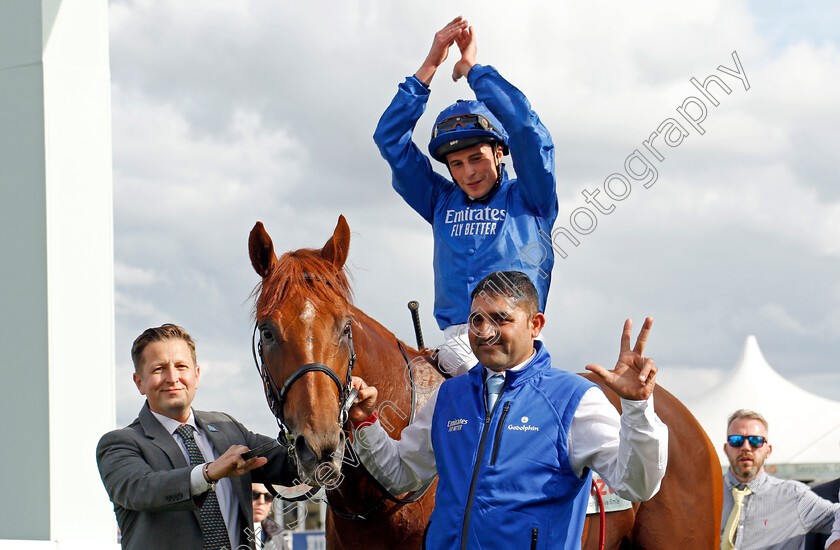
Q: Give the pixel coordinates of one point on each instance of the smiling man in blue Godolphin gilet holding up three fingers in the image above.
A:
(514, 440)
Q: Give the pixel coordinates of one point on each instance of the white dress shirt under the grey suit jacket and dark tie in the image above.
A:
(198, 485)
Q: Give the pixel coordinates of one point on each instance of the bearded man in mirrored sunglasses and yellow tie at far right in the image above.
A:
(761, 511)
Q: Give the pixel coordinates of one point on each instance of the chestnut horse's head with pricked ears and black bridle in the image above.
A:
(303, 316)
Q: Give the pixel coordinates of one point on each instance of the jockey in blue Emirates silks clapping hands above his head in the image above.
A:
(484, 221)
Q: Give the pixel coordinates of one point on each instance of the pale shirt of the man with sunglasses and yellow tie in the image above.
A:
(778, 514)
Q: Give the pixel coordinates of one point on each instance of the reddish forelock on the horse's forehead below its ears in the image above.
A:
(302, 272)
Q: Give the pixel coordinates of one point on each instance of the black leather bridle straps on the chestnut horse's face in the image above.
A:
(277, 398)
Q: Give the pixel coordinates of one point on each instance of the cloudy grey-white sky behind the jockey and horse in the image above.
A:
(227, 112)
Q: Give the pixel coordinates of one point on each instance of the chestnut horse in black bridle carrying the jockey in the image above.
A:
(308, 325)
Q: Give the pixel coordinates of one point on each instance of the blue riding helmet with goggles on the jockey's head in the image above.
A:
(464, 124)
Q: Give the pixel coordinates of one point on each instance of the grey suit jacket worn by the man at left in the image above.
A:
(148, 480)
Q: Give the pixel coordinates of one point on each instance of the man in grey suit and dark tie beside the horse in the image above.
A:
(176, 476)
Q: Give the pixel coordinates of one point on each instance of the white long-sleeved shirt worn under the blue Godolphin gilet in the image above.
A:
(629, 452)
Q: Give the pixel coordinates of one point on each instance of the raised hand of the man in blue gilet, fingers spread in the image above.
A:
(634, 375)
